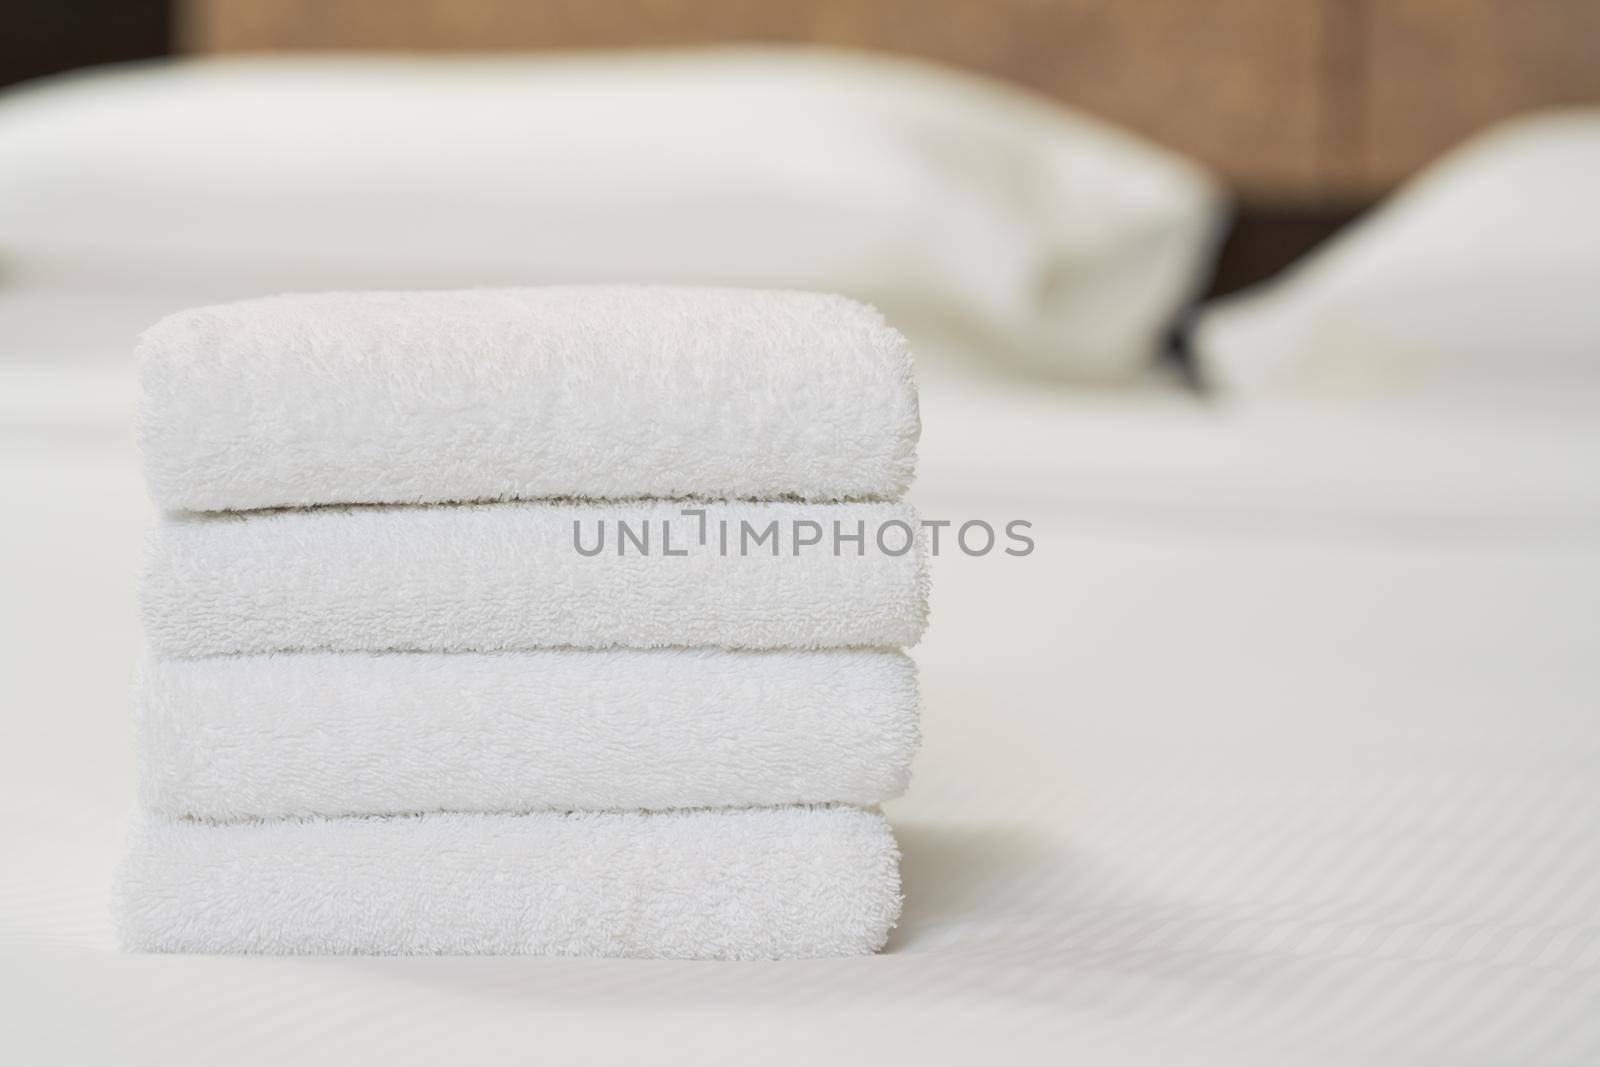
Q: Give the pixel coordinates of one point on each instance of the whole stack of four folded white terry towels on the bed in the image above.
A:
(396, 701)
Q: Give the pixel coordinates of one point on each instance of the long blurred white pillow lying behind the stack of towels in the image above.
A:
(961, 206)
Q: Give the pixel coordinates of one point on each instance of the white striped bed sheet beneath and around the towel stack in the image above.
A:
(1282, 748)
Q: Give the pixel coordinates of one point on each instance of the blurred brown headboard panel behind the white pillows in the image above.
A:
(1298, 102)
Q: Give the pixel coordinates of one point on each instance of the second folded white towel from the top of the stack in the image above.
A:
(510, 577)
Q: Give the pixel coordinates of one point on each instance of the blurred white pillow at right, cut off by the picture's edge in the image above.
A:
(1478, 284)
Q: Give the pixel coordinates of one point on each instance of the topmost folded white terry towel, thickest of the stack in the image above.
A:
(602, 393)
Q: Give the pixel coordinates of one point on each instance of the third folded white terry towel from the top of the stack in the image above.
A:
(354, 733)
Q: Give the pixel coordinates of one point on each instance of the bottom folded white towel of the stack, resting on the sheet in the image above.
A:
(754, 884)
